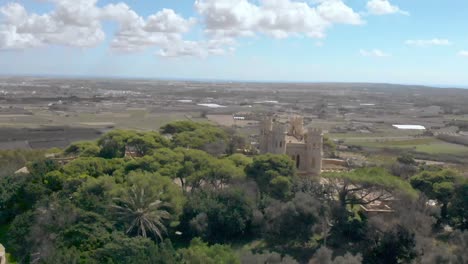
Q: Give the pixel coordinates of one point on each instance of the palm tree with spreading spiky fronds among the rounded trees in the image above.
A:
(144, 212)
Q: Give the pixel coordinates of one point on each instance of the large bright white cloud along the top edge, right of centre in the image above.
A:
(276, 18)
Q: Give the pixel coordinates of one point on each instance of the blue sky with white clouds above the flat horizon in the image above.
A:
(390, 41)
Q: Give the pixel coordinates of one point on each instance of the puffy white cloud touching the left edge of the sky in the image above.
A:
(71, 23)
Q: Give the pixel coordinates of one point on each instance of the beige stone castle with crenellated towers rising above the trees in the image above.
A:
(303, 146)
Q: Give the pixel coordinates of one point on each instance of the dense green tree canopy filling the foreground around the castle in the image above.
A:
(170, 197)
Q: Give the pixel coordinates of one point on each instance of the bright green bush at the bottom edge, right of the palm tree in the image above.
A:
(200, 253)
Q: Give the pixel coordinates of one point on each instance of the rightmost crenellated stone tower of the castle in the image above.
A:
(314, 146)
